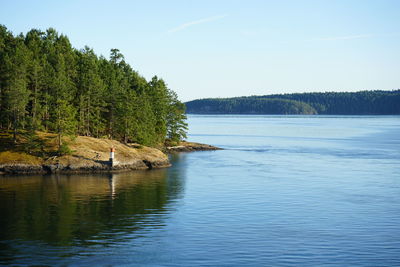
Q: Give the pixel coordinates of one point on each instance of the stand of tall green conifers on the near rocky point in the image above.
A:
(47, 85)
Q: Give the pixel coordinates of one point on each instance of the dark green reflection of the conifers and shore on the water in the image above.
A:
(83, 210)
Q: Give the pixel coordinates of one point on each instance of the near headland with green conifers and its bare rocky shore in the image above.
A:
(64, 109)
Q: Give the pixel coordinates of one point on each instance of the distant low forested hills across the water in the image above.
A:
(330, 103)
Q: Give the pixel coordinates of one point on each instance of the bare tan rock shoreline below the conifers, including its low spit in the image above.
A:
(91, 155)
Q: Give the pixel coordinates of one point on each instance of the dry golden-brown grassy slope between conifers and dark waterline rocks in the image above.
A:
(85, 150)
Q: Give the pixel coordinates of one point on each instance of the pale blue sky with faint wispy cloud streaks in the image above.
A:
(226, 48)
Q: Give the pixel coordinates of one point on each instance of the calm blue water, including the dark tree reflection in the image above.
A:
(286, 190)
